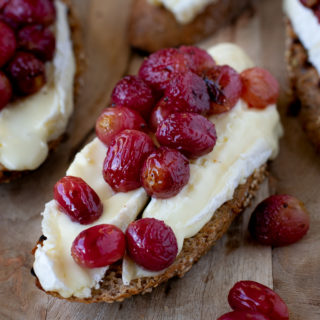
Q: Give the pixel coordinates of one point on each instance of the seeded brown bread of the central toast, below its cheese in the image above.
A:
(112, 289)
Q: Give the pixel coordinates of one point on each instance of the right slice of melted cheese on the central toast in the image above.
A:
(247, 138)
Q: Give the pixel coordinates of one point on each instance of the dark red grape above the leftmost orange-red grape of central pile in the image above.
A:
(132, 92)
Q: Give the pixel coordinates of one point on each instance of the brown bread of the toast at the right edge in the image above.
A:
(305, 81)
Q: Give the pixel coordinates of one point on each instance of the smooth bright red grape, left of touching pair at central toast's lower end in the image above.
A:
(98, 246)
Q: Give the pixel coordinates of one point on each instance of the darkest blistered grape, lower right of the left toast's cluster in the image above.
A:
(27, 73)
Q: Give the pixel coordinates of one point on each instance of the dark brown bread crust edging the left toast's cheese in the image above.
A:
(7, 175)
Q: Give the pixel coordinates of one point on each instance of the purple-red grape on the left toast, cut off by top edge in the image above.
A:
(22, 12)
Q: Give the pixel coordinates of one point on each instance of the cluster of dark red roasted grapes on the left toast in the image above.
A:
(26, 43)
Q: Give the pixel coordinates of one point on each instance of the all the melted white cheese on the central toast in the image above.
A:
(247, 138)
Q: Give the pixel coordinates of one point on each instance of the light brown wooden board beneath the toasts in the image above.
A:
(202, 294)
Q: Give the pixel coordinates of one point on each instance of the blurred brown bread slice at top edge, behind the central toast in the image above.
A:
(153, 27)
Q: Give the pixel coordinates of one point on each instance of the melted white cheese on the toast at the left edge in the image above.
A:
(27, 125)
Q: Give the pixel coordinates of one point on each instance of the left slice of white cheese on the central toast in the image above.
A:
(54, 265)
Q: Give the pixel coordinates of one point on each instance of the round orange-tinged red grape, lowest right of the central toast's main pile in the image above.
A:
(165, 172)
